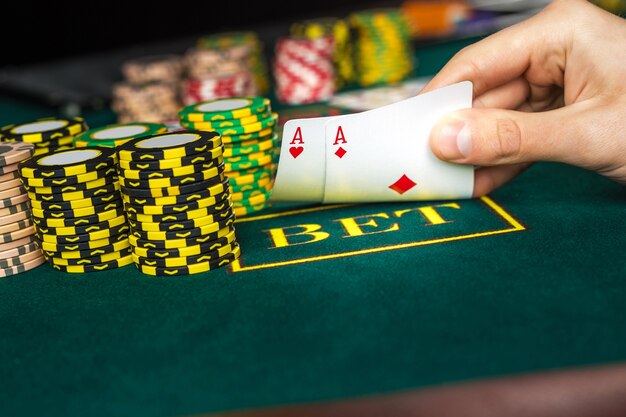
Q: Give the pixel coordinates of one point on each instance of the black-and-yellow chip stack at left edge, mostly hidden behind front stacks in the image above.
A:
(48, 134)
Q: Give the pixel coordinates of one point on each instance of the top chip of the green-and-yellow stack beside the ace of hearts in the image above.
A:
(225, 109)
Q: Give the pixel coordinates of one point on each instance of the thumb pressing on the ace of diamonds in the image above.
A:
(497, 137)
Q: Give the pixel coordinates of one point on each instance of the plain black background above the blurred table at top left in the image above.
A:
(55, 30)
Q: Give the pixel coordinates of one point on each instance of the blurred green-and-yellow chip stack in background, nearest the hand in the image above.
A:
(383, 49)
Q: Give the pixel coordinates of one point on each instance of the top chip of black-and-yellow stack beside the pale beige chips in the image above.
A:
(68, 163)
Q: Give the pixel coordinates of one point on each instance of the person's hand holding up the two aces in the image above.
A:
(551, 88)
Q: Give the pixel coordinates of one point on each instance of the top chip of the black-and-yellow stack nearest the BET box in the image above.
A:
(169, 145)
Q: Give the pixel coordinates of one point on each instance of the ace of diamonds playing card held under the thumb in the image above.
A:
(383, 154)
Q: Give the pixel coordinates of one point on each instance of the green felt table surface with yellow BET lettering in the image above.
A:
(331, 302)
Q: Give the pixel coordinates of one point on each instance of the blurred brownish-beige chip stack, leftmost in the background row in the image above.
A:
(150, 90)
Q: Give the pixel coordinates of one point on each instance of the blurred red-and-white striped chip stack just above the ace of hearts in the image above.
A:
(304, 70)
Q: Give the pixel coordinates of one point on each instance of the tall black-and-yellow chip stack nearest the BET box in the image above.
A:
(167, 175)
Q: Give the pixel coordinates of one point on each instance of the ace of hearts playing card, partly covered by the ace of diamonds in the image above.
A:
(301, 170)
